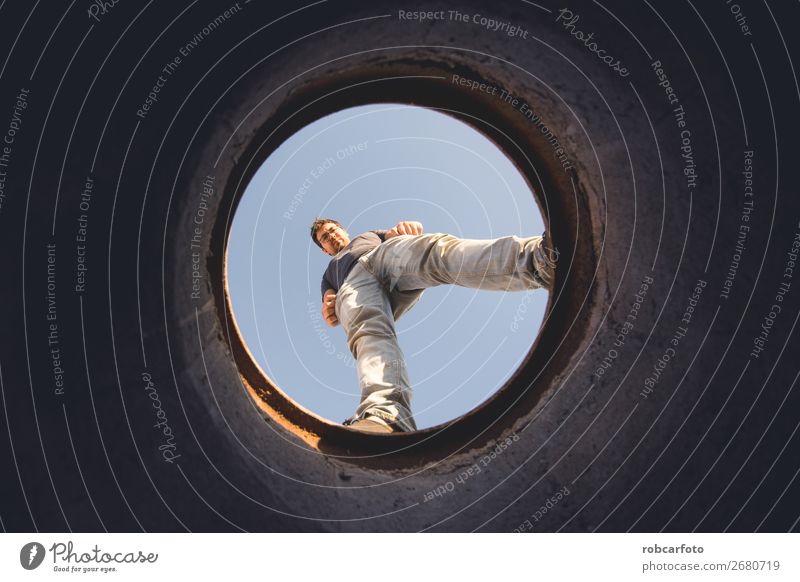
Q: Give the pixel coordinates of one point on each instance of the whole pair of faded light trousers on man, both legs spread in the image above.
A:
(388, 281)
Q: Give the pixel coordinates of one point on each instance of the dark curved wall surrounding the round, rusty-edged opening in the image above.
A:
(645, 395)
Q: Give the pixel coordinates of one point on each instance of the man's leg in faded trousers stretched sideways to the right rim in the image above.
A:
(503, 264)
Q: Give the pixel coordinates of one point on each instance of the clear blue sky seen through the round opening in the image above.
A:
(369, 167)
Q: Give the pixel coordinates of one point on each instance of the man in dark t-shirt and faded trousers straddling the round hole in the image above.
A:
(379, 275)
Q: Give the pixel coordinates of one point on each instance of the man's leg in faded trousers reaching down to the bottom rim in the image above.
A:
(364, 310)
